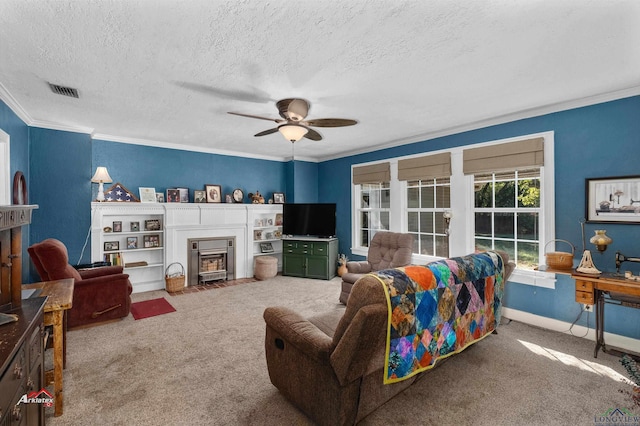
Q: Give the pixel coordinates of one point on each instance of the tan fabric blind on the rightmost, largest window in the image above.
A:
(506, 156)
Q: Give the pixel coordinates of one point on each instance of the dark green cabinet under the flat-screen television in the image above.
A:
(310, 257)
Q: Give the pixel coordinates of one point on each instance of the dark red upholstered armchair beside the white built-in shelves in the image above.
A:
(99, 294)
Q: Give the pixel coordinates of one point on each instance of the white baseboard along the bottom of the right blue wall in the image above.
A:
(613, 340)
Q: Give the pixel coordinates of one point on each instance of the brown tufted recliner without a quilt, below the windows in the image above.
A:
(386, 250)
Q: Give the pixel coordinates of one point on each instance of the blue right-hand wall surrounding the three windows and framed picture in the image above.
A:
(601, 140)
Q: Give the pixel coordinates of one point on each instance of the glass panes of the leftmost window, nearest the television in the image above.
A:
(373, 210)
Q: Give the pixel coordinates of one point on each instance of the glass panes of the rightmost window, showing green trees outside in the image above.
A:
(507, 213)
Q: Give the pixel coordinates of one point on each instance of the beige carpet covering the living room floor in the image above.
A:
(204, 365)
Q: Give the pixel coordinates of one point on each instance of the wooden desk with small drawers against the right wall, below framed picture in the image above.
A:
(590, 289)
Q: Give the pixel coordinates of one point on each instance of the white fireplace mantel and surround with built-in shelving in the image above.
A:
(180, 222)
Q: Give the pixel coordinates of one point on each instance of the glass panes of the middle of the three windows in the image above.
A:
(427, 200)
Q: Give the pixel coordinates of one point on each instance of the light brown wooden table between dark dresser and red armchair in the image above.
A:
(59, 298)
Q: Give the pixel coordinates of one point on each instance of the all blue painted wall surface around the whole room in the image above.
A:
(596, 141)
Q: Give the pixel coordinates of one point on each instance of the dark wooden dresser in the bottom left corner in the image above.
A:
(22, 361)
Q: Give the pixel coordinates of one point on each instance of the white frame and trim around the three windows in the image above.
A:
(461, 238)
